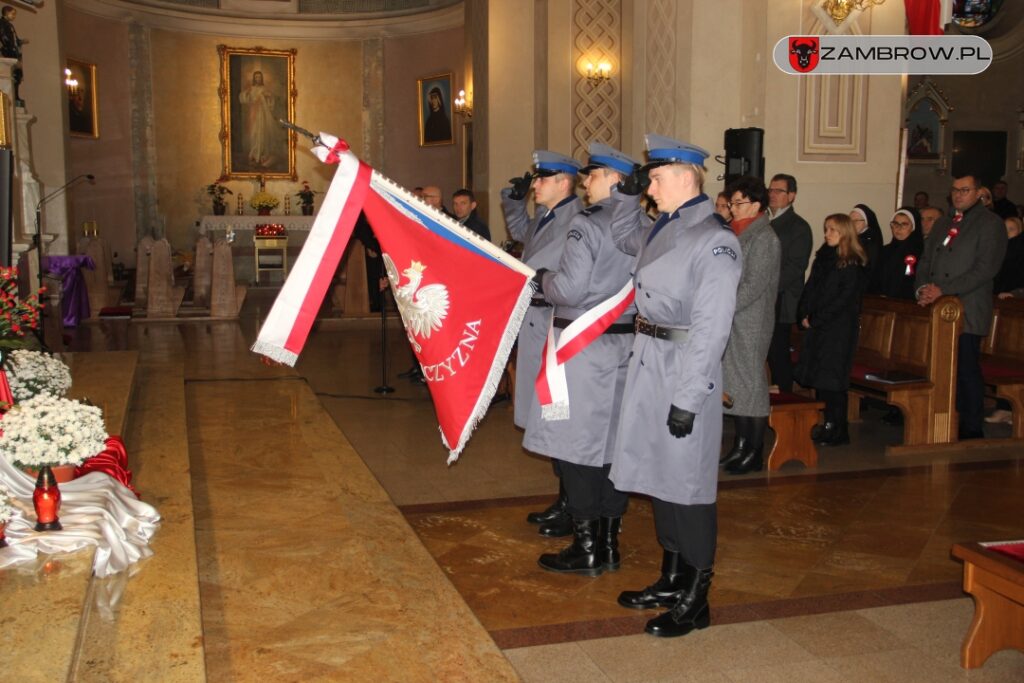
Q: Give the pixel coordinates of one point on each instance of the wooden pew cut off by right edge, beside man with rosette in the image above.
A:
(1003, 358)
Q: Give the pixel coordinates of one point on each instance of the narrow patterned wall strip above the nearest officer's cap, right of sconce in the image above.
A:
(661, 67)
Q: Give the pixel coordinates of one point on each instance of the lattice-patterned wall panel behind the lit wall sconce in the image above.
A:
(596, 109)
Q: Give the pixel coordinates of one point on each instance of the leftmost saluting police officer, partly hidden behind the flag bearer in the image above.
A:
(553, 180)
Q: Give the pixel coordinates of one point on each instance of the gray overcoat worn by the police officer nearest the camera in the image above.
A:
(686, 277)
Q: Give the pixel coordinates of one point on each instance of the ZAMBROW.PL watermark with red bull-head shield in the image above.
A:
(883, 55)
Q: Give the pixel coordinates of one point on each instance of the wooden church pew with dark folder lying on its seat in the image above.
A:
(900, 336)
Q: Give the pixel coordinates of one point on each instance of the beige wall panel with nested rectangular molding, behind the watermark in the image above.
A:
(833, 109)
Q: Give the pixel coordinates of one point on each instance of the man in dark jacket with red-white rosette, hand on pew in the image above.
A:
(962, 257)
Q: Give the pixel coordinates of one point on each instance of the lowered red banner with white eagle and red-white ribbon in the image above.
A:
(462, 300)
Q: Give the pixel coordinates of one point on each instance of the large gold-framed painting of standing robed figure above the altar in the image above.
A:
(258, 90)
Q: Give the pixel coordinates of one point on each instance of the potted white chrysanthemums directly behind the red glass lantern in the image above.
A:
(51, 431)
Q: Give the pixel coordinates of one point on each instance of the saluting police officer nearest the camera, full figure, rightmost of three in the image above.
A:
(670, 433)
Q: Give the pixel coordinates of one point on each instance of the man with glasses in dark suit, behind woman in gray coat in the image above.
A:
(796, 240)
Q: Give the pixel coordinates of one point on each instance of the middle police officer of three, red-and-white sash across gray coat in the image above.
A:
(592, 272)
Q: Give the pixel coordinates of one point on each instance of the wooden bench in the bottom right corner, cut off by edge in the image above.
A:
(994, 575)
